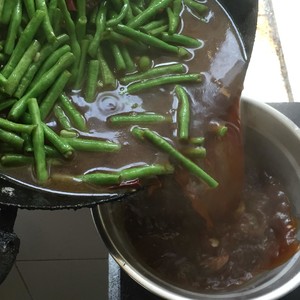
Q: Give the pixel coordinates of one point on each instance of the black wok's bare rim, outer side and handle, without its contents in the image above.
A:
(15, 194)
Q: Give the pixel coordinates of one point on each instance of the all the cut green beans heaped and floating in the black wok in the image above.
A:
(48, 48)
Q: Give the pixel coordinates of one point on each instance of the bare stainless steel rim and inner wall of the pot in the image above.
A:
(275, 140)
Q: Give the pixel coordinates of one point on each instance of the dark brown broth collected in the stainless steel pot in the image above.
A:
(166, 236)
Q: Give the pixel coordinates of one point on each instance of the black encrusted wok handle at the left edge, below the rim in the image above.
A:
(9, 242)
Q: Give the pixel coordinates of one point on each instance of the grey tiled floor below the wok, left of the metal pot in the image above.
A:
(61, 257)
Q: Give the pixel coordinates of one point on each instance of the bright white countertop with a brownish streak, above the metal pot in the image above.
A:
(273, 73)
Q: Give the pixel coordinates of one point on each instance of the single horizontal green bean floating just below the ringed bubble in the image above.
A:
(137, 118)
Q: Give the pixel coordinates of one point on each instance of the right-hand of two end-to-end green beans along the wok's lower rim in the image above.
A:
(145, 172)
